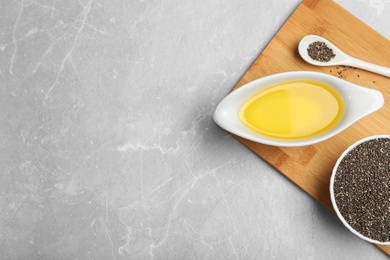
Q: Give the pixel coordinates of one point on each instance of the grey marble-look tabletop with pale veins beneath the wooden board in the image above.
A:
(108, 148)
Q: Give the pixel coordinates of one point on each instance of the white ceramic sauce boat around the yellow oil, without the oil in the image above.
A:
(358, 101)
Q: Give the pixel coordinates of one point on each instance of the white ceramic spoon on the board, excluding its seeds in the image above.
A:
(340, 59)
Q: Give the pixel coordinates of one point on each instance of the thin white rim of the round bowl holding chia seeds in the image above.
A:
(331, 188)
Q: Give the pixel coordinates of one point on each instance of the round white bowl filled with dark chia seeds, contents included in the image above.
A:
(360, 189)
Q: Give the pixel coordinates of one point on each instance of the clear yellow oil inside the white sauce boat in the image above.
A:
(293, 110)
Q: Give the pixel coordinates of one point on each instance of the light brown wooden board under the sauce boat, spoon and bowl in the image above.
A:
(310, 167)
